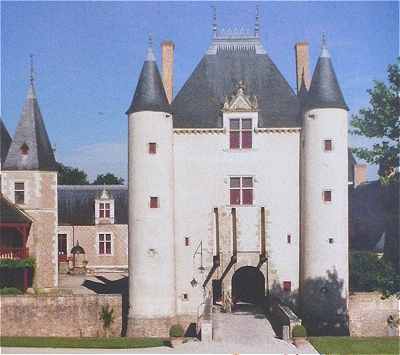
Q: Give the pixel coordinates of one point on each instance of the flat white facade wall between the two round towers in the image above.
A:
(203, 164)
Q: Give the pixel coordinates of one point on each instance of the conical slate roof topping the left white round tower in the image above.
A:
(150, 93)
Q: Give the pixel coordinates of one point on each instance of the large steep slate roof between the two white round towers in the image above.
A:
(198, 104)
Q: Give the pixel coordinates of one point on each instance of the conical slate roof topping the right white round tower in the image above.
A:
(324, 89)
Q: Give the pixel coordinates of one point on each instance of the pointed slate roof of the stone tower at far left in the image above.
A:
(30, 148)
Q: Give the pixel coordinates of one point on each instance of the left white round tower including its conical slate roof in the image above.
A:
(151, 238)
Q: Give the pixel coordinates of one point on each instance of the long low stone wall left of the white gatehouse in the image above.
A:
(67, 316)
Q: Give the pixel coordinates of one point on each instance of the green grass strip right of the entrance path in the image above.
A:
(353, 345)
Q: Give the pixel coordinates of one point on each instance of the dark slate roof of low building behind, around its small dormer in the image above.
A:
(76, 204)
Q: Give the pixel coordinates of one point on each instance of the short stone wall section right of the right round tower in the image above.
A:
(368, 314)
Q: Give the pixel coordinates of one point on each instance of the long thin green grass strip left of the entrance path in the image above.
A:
(105, 343)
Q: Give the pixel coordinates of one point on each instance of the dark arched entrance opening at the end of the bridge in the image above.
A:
(248, 285)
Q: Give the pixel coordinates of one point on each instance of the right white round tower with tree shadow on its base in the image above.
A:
(324, 200)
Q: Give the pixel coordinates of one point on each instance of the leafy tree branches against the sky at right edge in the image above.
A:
(381, 122)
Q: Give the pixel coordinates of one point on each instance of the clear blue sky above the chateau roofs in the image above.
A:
(88, 56)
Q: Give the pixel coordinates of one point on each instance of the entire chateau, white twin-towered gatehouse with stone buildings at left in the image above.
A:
(237, 187)
